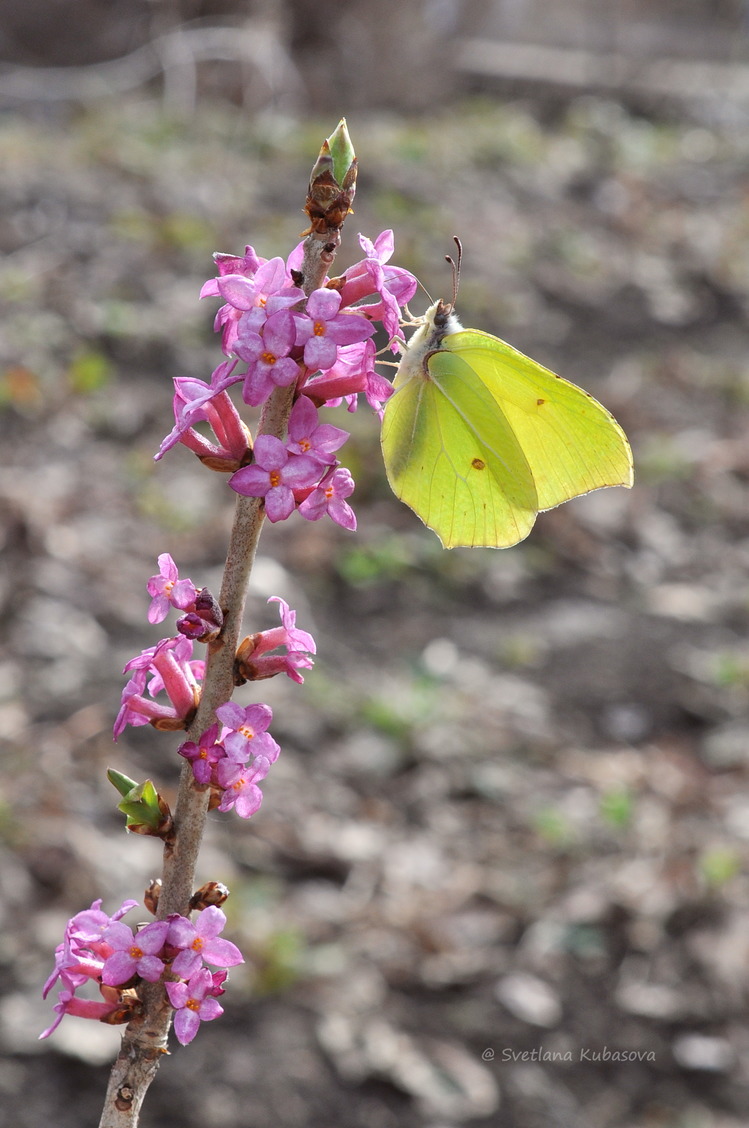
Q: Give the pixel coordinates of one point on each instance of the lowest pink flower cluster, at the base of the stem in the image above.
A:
(101, 950)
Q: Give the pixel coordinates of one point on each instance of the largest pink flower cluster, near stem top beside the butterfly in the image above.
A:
(276, 337)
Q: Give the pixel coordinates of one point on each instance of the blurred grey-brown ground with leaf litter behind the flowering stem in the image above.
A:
(500, 874)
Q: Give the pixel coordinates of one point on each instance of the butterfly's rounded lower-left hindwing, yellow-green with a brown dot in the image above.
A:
(454, 459)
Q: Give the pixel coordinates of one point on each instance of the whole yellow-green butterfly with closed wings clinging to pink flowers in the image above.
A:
(479, 439)
